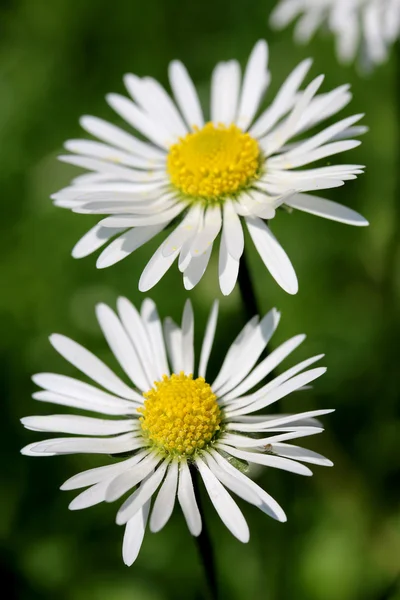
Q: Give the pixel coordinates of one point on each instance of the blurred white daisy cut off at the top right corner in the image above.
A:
(370, 25)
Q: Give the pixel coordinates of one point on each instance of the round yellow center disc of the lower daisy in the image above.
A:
(180, 414)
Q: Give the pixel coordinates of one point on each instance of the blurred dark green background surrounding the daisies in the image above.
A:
(342, 541)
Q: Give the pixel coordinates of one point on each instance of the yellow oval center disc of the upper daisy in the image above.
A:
(214, 161)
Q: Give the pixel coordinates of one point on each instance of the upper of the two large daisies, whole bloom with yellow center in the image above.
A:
(204, 177)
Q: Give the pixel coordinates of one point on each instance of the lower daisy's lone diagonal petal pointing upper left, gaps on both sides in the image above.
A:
(90, 365)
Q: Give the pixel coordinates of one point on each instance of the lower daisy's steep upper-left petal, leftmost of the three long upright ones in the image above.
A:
(121, 346)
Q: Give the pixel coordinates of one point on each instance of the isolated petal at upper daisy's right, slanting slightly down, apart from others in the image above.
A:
(327, 209)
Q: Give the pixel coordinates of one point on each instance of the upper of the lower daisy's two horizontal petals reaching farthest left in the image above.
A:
(77, 425)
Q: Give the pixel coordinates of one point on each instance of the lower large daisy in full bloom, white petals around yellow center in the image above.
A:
(168, 421)
